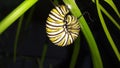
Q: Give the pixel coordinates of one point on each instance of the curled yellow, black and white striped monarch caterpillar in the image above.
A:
(61, 27)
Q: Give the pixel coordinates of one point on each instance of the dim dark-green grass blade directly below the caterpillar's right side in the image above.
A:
(75, 53)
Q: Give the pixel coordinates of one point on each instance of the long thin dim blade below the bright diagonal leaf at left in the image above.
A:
(17, 37)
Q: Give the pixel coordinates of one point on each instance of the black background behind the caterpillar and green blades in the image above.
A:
(33, 38)
